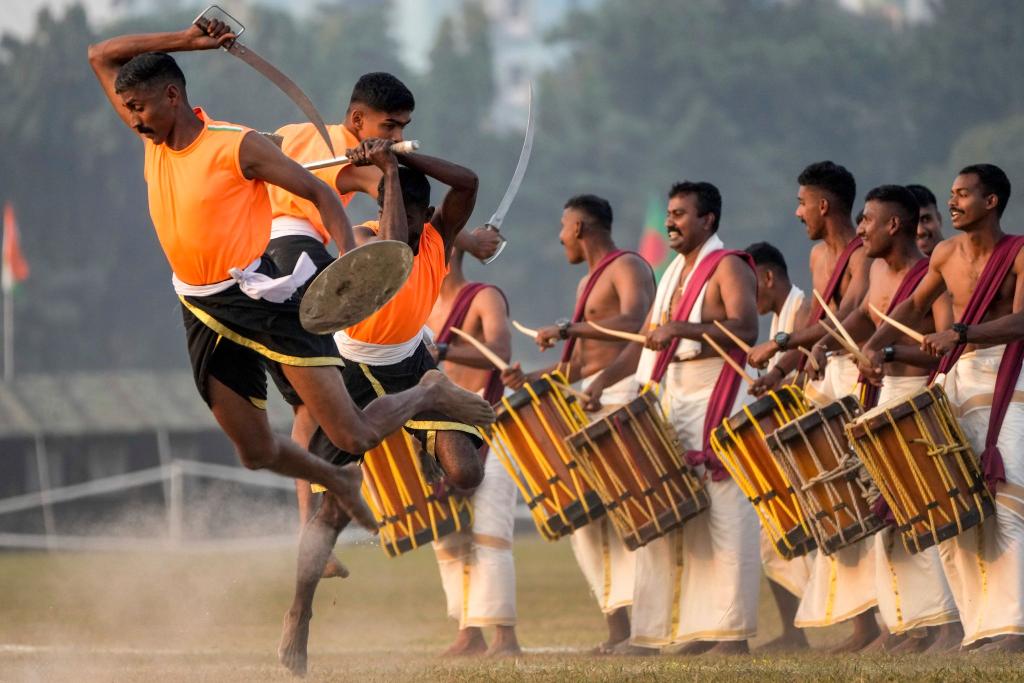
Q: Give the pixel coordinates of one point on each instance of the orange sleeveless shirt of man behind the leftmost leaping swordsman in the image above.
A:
(304, 144)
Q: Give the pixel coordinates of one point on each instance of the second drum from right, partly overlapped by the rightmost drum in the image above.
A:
(830, 482)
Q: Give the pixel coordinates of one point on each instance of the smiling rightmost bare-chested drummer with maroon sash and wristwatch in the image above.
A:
(983, 269)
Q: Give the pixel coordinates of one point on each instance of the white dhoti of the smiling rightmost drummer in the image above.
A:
(986, 565)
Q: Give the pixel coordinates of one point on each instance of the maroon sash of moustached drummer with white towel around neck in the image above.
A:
(728, 386)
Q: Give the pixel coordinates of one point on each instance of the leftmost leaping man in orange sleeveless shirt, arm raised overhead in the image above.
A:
(208, 203)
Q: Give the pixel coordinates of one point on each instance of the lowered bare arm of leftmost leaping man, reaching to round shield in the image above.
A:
(262, 159)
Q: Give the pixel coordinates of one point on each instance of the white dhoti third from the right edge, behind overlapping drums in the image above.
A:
(842, 585)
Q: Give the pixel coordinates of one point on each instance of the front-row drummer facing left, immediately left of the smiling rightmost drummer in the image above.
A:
(915, 600)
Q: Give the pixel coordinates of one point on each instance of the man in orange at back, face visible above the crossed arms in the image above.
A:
(379, 111)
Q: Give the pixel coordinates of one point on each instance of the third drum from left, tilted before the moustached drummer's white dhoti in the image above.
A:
(633, 458)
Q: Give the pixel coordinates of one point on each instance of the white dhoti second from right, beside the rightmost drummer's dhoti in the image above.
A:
(913, 590)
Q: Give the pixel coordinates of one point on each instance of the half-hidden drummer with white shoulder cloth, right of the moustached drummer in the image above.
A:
(788, 579)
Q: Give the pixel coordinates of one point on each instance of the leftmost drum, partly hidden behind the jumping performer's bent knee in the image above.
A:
(408, 509)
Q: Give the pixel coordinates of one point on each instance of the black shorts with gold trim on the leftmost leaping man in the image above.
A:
(233, 338)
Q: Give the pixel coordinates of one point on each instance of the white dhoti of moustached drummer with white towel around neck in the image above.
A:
(700, 582)
